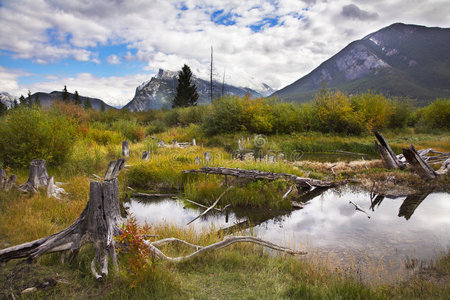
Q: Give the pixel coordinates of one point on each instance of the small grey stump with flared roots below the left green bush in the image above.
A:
(38, 177)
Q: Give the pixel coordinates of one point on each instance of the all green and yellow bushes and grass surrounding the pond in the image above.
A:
(284, 138)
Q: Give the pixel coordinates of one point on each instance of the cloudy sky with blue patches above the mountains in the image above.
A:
(106, 48)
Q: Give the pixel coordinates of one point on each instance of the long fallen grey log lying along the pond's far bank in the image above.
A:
(259, 175)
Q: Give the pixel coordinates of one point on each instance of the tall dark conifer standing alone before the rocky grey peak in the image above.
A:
(186, 91)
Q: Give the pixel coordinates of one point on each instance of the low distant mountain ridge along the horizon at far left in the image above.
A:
(46, 99)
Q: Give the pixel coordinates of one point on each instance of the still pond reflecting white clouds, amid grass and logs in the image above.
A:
(401, 231)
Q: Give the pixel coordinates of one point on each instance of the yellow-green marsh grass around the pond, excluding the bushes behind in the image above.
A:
(238, 272)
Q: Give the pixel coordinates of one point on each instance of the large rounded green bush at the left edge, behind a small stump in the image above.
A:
(31, 133)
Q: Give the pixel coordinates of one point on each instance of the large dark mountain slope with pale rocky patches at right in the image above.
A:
(399, 60)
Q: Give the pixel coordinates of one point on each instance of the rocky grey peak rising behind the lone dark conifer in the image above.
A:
(159, 91)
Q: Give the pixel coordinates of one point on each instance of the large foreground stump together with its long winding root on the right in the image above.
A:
(99, 223)
